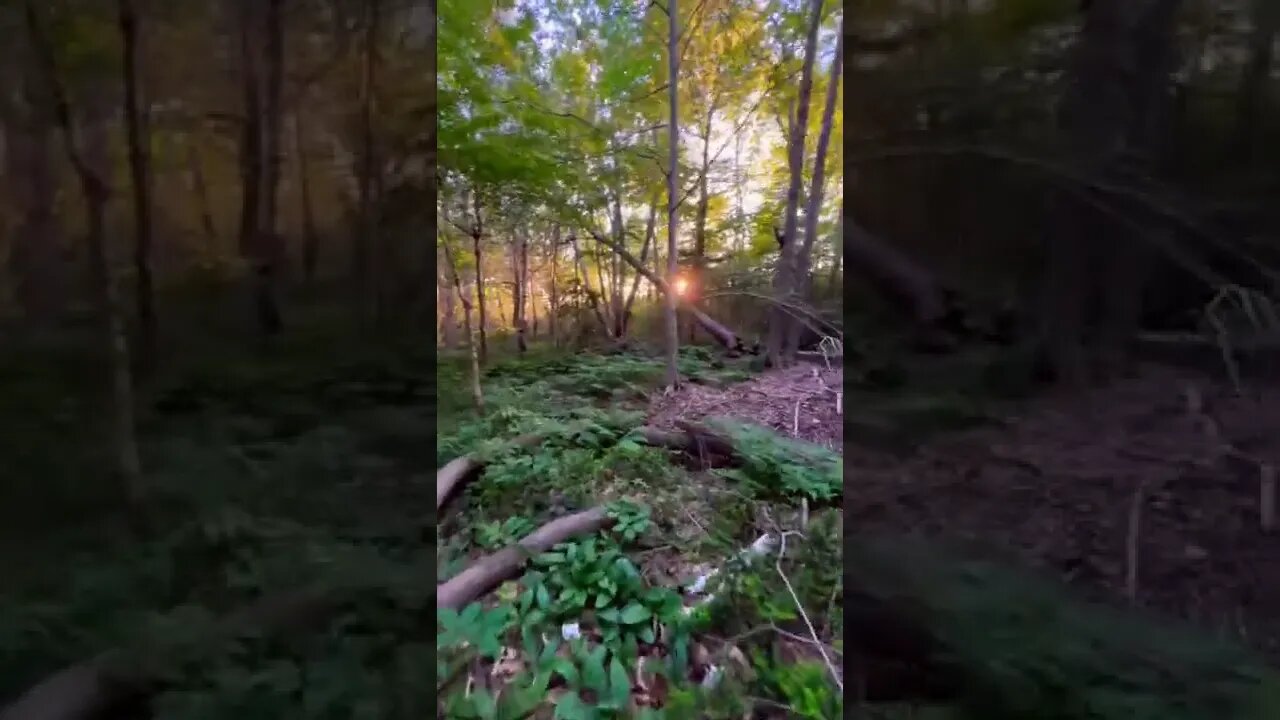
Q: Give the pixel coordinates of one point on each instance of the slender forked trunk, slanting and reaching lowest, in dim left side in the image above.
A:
(92, 166)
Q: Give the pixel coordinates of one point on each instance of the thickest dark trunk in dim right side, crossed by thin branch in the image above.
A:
(1110, 119)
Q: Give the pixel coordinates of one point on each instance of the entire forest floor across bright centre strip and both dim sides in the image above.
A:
(303, 467)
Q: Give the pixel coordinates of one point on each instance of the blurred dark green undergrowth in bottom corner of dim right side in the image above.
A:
(1017, 646)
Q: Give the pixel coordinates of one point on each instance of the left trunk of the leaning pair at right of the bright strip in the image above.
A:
(787, 275)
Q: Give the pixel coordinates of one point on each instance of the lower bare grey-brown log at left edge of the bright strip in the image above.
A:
(491, 571)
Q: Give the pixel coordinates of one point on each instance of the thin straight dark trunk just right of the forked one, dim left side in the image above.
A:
(136, 121)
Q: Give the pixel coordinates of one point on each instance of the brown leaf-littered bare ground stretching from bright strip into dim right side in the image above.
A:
(1164, 472)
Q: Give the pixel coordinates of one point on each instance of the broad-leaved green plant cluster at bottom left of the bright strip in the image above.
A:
(577, 590)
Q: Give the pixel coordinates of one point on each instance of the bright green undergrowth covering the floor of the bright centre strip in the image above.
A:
(591, 625)
